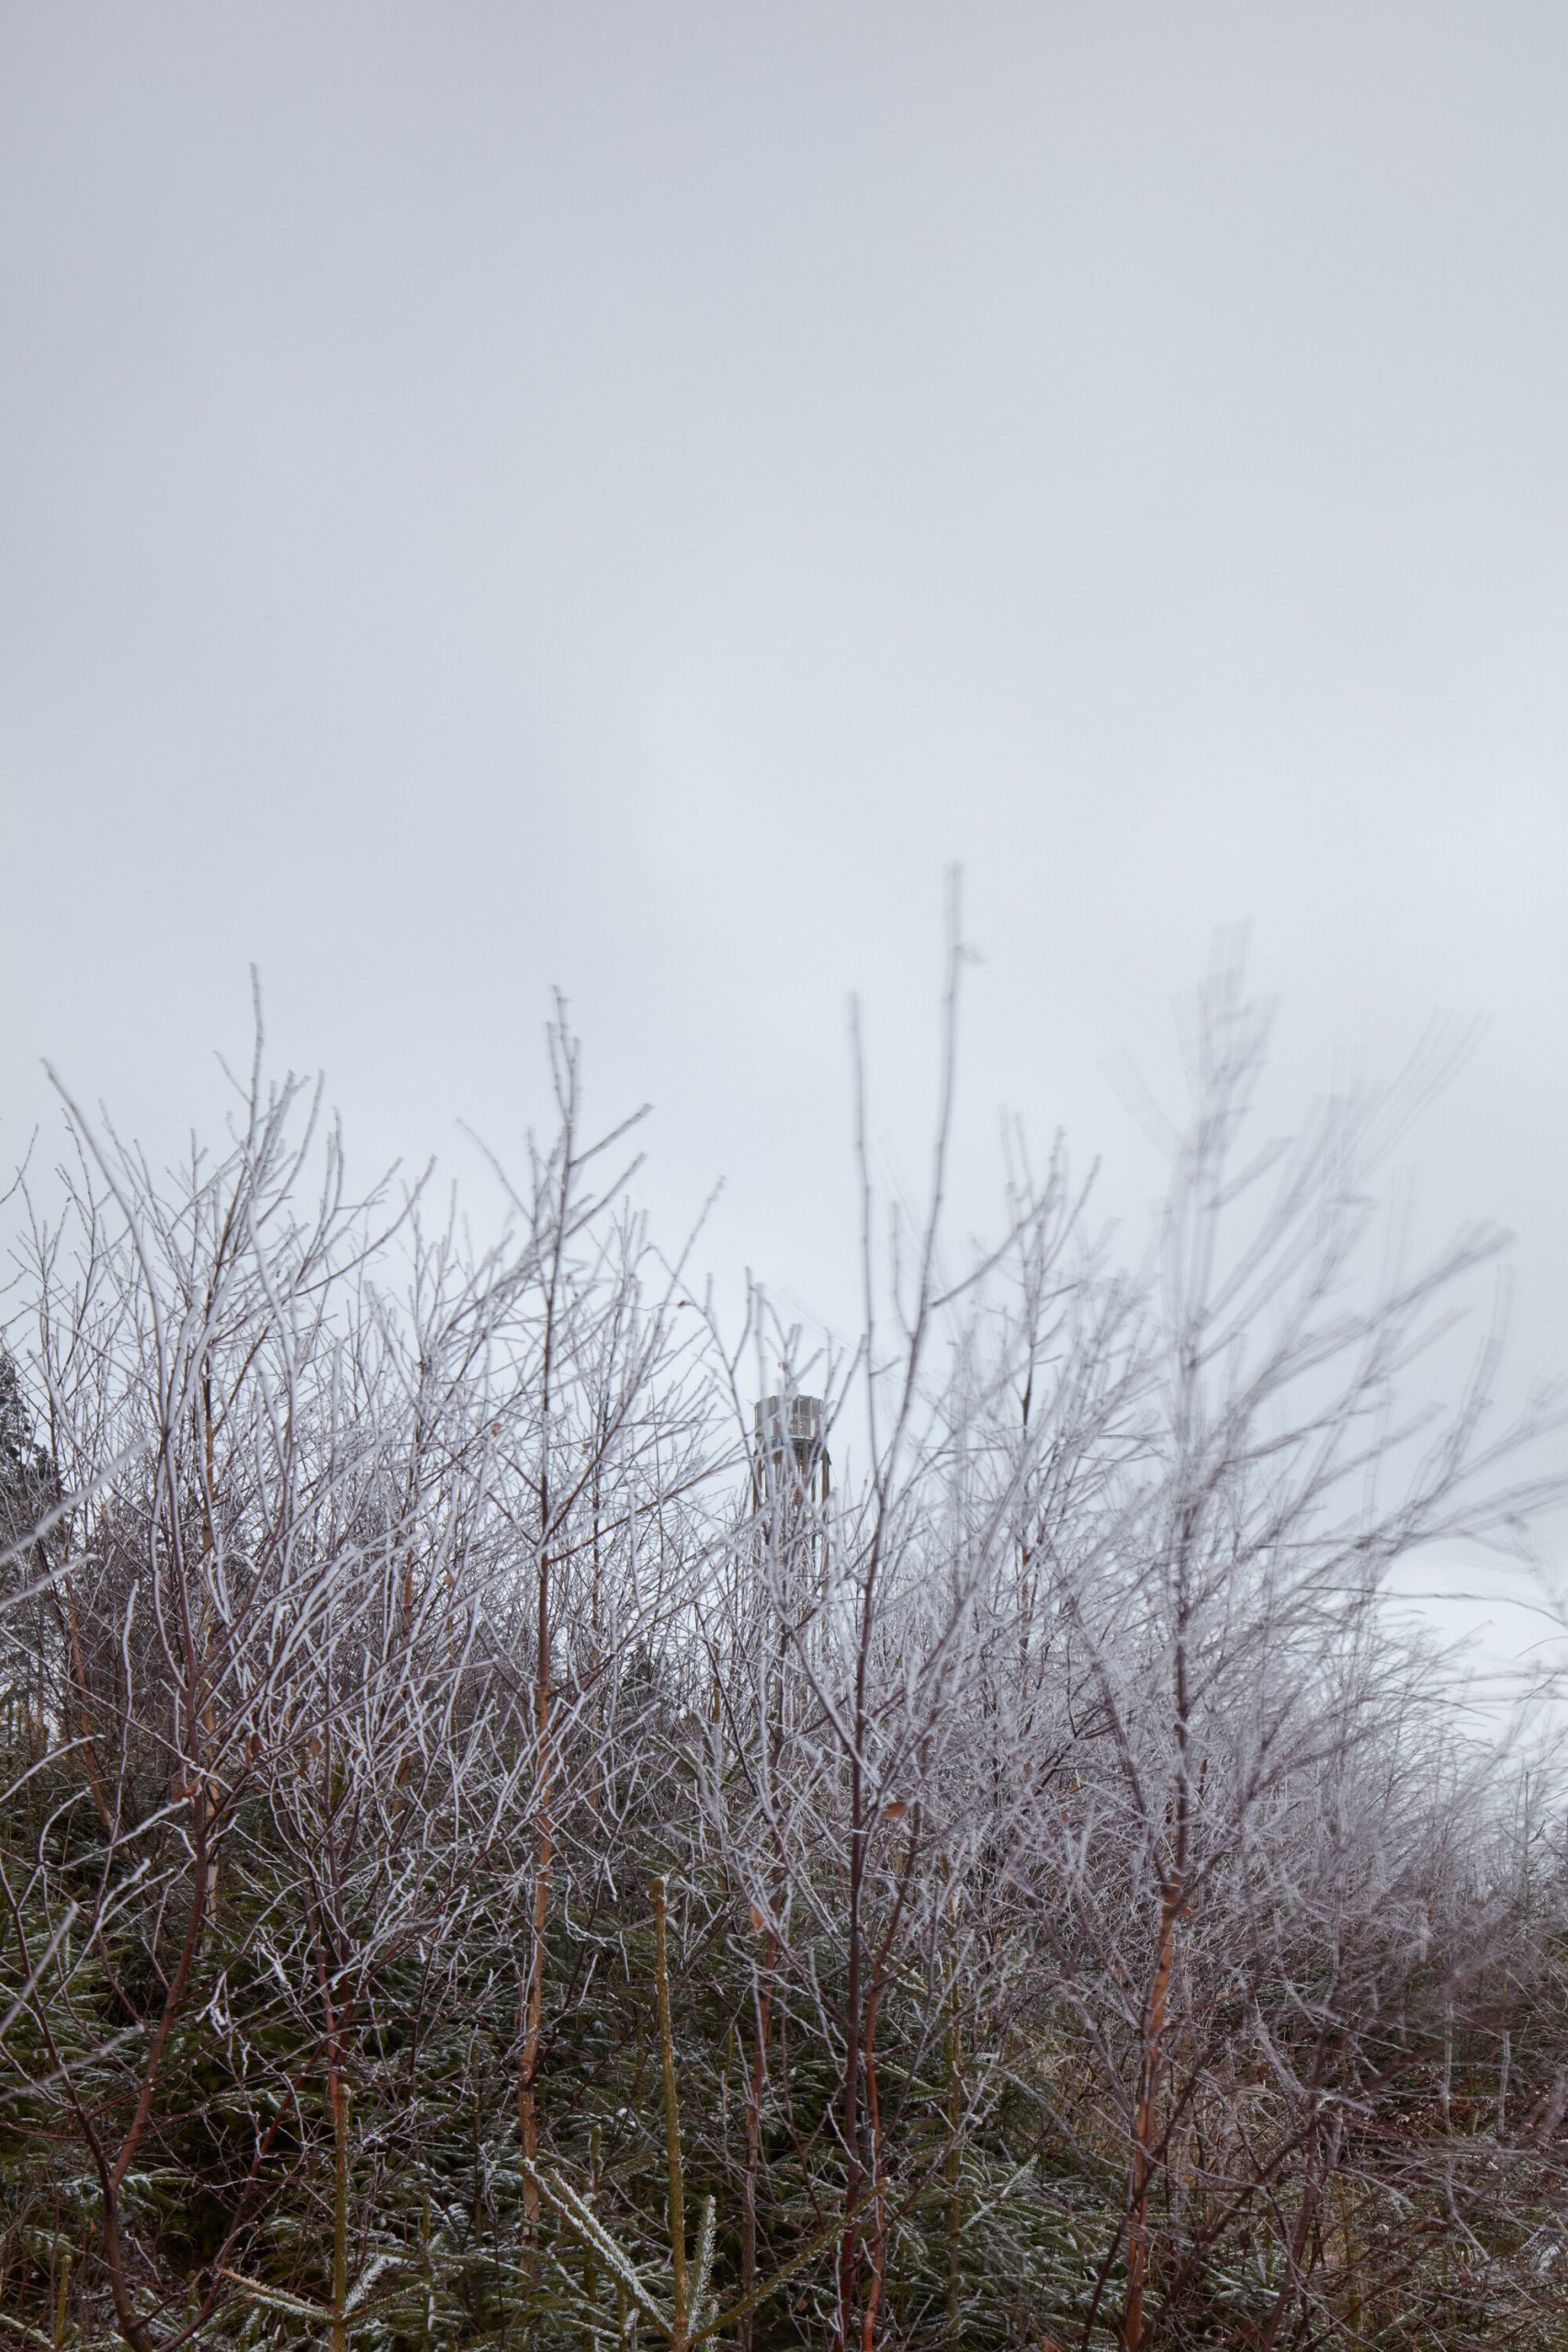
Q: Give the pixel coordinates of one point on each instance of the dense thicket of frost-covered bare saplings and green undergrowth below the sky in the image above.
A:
(500, 1850)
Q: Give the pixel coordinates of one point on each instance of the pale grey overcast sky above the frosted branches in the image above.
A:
(502, 497)
